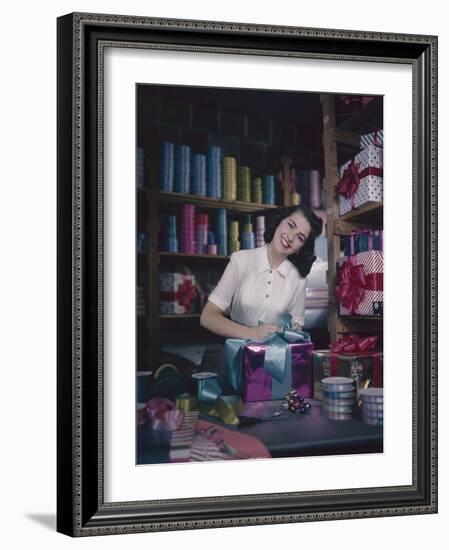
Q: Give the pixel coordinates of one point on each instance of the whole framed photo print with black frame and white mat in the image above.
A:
(247, 288)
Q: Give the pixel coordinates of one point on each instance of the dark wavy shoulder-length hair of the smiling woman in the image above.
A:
(303, 261)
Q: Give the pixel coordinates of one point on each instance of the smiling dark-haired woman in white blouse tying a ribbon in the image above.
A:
(261, 284)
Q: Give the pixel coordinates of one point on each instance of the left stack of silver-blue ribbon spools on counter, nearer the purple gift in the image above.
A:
(339, 396)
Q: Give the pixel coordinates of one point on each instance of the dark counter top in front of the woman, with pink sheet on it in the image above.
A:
(287, 435)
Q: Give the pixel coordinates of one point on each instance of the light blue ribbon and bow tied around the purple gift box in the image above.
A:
(277, 361)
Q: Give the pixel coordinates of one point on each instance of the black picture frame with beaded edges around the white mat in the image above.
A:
(83, 509)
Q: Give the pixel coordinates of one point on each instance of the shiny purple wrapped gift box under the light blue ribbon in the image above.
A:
(258, 385)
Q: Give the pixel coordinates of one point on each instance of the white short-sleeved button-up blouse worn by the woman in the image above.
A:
(249, 291)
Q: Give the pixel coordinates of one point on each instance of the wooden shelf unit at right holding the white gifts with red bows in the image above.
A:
(348, 132)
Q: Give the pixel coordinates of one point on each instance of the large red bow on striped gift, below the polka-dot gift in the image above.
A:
(353, 282)
